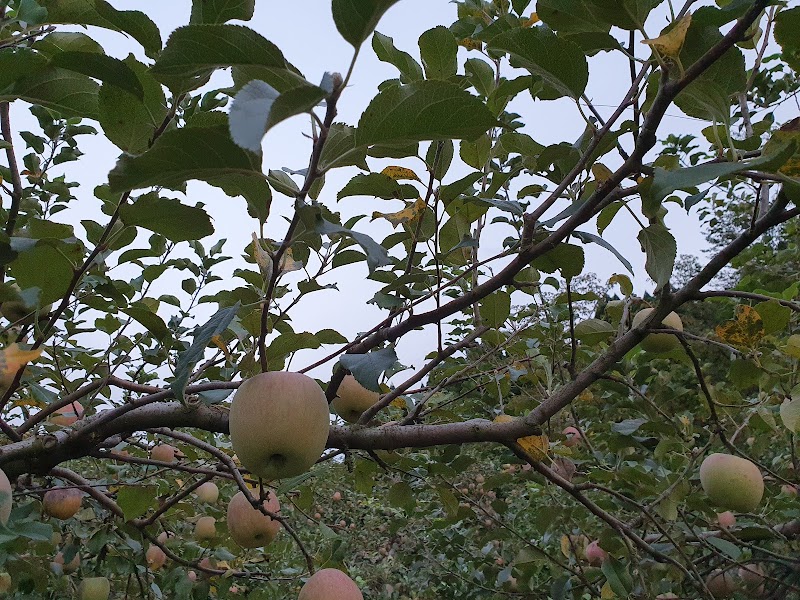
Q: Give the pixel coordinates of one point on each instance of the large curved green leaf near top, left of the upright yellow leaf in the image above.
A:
(560, 63)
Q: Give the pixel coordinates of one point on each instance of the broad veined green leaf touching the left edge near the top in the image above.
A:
(70, 93)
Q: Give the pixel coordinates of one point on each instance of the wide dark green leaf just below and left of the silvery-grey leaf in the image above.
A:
(183, 154)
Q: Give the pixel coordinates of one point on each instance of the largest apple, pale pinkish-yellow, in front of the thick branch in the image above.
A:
(279, 423)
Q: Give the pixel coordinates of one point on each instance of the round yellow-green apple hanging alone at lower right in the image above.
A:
(732, 482)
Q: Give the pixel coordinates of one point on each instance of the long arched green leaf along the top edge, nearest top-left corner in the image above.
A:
(101, 14)
